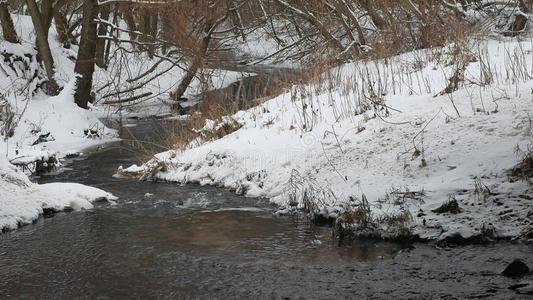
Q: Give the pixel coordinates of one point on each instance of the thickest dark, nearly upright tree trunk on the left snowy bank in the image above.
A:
(84, 68)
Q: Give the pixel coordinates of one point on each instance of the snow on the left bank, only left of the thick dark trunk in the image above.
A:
(48, 127)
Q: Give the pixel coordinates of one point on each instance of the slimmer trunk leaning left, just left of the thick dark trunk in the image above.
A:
(43, 46)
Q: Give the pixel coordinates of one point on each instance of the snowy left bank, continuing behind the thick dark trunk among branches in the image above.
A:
(41, 131)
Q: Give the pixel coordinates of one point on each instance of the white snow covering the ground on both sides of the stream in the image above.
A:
(334, 136)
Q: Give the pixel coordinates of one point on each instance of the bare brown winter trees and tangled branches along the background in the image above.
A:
(193, 34)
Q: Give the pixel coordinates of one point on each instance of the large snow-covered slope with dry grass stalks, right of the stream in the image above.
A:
(386, 130)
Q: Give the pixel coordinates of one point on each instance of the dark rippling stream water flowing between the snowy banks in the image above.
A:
(185, 242)
